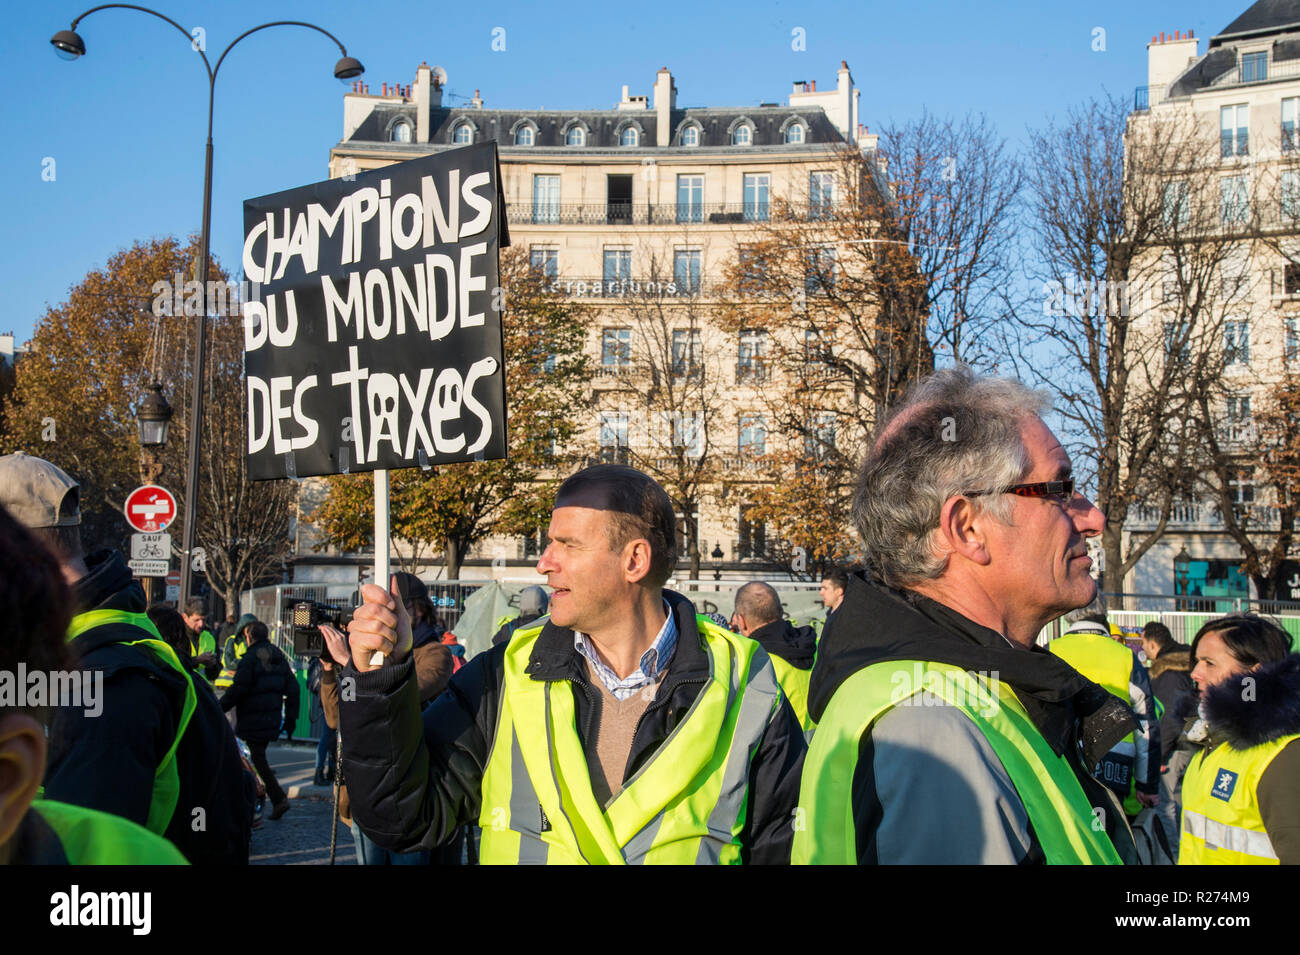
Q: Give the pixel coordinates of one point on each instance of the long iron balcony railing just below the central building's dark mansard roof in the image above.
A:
(664, 214)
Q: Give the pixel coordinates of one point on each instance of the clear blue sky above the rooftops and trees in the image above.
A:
(125, 124)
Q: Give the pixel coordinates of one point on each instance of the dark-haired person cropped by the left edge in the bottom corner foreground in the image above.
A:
(33, 628)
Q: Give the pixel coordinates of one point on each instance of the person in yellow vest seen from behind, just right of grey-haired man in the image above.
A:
(1132, 771)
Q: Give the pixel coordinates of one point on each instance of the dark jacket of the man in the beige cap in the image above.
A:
(109, 762)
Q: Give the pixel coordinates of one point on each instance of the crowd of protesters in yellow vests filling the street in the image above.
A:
(613, 723)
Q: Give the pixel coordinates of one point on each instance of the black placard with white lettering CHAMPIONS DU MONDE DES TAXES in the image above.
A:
(375, 338)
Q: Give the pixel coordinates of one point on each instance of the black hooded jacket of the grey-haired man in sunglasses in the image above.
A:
(1077, 718)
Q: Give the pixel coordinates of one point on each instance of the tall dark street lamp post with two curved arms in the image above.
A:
(71, 46)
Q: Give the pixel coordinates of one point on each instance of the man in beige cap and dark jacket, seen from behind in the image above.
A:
(158, 753)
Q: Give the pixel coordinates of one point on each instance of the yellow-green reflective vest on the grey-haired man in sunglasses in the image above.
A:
(1058, 809)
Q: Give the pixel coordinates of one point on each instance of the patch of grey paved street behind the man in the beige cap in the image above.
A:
(301, 837)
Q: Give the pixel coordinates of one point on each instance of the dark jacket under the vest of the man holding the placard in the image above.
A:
(413, 784)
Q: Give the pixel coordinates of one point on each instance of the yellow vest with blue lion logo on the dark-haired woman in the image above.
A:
(1223, 824)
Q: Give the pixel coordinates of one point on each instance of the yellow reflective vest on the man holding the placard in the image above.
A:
(686, 805)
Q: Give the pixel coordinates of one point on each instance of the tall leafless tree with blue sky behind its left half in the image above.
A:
(1138, 248)
